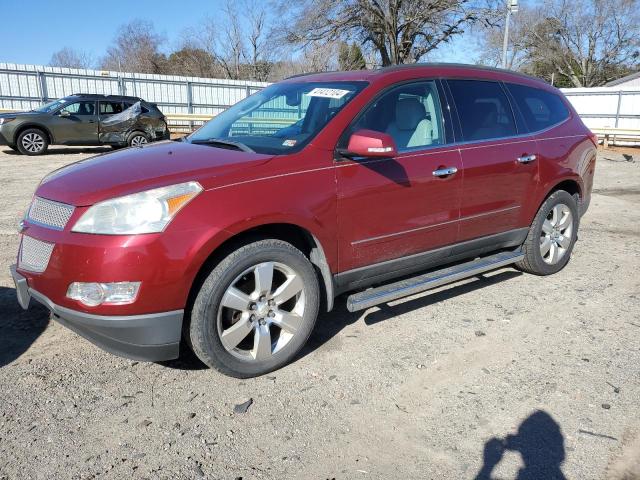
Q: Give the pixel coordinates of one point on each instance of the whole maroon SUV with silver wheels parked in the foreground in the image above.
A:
(384, 183)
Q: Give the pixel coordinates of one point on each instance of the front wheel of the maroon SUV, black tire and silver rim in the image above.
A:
(246, 339)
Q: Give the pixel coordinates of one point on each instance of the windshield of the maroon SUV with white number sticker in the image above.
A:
(282, 118)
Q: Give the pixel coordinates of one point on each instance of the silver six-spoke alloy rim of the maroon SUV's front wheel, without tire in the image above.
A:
(261, 311)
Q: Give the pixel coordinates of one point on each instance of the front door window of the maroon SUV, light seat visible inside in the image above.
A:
(411, 114)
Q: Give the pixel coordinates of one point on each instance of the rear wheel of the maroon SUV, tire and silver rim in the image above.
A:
(555, 226)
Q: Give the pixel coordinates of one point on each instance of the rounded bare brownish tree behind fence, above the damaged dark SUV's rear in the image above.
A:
(136, 49)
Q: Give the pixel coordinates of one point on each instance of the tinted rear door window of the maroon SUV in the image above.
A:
(483, 109)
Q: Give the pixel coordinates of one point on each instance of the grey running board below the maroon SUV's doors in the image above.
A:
(427, 281)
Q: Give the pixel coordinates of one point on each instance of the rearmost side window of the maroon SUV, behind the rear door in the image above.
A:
(541, 109)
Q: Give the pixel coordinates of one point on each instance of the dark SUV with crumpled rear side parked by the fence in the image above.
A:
(84, 119)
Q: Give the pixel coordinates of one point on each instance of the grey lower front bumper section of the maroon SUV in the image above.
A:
(150, 337)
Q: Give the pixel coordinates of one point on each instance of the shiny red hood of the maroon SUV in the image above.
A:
(136, 169)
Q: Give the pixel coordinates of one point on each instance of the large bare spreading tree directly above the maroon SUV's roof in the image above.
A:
(400, 31)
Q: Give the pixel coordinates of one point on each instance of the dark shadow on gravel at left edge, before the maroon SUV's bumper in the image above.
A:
(18, 328)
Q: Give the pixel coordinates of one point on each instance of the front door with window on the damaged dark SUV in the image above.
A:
(76, 124)
